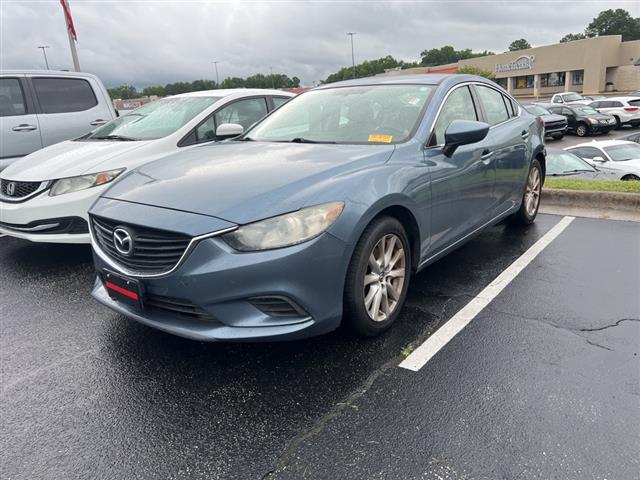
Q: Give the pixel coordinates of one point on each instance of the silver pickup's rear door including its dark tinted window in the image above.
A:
(68, 107)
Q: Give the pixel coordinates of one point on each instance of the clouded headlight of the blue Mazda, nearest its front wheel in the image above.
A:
(285, 230)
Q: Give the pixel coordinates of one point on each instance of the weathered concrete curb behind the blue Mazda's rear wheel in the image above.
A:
(591, 200)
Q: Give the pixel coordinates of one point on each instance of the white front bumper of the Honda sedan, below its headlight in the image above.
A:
(17, 219)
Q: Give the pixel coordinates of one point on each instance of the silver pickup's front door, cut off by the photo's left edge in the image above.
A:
(19, 129)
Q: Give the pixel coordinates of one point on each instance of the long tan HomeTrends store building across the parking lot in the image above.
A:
(589, 66)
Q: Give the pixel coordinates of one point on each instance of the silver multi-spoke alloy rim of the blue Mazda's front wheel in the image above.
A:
(384, 277)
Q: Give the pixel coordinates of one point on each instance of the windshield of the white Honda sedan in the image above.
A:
(153, 120)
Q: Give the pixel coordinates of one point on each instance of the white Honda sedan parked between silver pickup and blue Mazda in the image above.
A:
(45, 196)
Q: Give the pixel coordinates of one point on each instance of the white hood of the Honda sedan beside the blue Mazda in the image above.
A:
(70, 158)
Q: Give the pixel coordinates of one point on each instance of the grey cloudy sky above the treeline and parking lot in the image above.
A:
(155, 42)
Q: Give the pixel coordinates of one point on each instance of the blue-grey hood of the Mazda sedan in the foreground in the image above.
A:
(246, 181)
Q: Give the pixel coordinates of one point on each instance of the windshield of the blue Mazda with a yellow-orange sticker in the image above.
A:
(360, 114)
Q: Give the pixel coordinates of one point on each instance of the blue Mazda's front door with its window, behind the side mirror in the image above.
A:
(461, 185)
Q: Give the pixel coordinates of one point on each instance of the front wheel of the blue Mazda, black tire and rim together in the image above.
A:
(378, 278)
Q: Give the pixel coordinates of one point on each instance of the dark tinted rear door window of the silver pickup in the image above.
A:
(62, 95)
